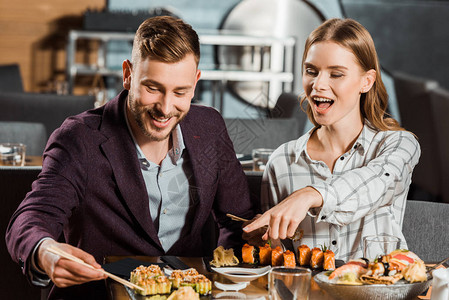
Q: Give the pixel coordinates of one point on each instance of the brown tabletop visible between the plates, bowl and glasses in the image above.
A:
(257, 289)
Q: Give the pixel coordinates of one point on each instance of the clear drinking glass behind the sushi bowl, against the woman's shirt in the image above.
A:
(375, 246)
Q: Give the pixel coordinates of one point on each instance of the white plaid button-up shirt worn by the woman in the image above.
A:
(365, 195)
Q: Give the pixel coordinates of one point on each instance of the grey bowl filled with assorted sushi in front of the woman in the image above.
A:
(400, 274)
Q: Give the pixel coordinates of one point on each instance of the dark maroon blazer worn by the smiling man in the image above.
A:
(91, 189)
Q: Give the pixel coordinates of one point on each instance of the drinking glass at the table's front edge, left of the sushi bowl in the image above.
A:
(289, 283)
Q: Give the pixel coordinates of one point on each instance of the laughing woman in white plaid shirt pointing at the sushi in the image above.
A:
(348, 177)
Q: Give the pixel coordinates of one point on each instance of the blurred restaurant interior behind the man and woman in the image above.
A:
(59, 58)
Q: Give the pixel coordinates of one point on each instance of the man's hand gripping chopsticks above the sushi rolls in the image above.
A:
(64, 272)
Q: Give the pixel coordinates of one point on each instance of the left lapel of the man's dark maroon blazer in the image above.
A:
(120, 150)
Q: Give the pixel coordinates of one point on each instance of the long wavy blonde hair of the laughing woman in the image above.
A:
(353, 36)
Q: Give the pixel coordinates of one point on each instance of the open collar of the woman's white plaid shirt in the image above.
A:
(361, 144)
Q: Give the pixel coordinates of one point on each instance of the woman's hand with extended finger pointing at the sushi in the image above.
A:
(284, 218)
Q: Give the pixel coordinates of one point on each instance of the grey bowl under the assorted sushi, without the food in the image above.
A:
(400, 290)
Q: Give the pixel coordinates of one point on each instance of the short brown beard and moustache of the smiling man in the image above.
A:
(139, 111)
